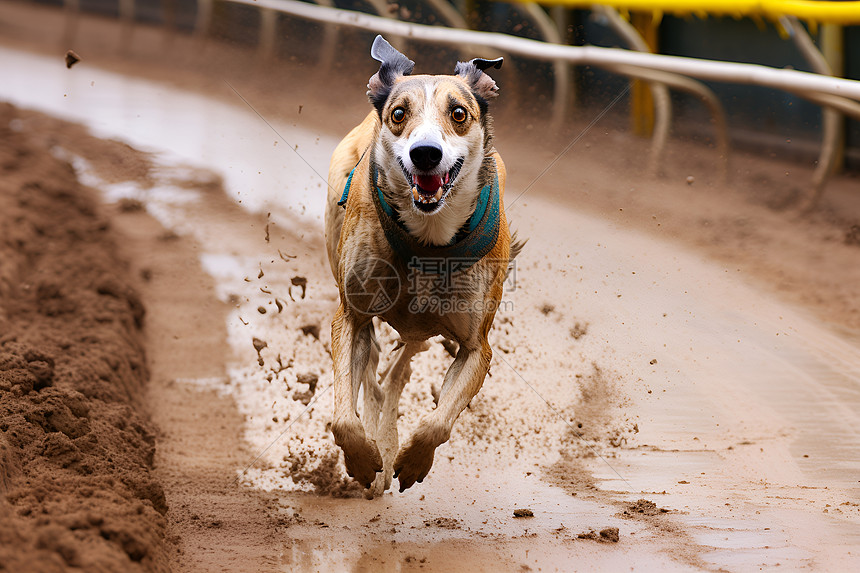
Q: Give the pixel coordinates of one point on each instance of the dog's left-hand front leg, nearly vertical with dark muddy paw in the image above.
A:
(351, 353)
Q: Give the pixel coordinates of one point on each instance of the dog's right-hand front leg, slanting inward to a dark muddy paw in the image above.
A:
(462, 381)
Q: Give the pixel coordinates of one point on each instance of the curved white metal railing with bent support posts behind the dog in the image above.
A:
(833, 94)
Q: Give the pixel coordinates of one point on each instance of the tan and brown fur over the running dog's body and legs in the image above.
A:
(356, 243)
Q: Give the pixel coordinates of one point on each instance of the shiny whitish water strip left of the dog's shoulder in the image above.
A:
(260, 169)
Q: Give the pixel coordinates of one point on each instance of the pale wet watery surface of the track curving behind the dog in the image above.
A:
(624, 369)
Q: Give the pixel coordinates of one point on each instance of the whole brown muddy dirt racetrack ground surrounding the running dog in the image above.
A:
(674, 384)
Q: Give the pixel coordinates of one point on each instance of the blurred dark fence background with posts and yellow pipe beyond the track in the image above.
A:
(821, 37)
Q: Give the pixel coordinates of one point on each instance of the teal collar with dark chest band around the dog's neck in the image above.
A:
(469, 245)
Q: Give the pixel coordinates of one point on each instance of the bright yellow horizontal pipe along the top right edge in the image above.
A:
(845, 13)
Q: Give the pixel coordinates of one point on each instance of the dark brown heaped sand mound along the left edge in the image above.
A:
(75, 450)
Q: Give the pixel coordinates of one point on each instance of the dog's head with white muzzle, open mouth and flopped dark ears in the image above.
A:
(434, 134)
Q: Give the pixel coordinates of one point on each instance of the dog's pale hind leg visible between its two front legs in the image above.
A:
(394, 380)
